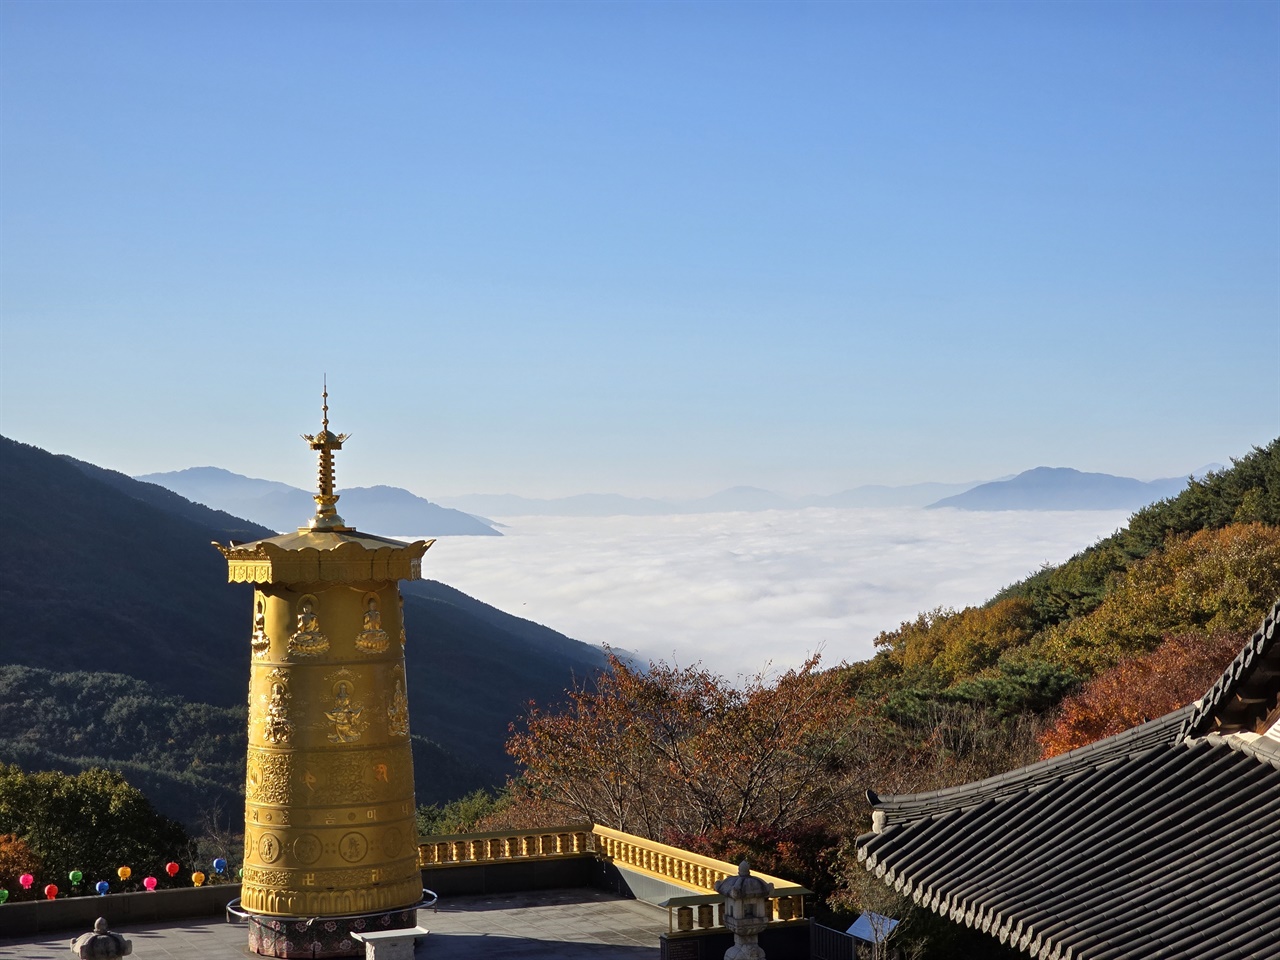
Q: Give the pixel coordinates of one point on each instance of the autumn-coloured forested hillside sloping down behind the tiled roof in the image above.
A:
(779, 769)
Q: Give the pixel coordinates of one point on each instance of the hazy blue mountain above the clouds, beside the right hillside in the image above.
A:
(1064, 488)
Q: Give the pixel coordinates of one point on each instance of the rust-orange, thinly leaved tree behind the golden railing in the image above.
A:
(678, 751)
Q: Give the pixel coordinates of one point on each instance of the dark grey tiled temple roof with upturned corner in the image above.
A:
(1145, 845)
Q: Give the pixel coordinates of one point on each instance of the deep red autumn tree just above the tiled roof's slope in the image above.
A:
(1140, 689)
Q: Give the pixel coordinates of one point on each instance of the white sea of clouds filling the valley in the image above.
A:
(744, 592)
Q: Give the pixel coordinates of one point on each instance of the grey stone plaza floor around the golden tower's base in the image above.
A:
(573, 925)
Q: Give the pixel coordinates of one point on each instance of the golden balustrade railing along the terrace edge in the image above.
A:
(671, 865)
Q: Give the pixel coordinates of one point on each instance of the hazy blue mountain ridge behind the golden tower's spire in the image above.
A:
(390, 510)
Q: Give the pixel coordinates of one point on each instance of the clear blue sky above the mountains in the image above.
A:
(651, 249)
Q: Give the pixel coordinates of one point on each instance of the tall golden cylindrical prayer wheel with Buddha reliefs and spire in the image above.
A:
(331, 840)
